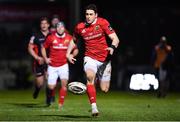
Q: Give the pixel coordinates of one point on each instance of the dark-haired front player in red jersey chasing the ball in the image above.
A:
(93, 32)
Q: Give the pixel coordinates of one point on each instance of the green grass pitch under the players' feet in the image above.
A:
(18, 105)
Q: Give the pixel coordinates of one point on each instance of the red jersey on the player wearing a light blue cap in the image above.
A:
(57, 48)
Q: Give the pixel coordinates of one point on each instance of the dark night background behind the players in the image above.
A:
(139, 25)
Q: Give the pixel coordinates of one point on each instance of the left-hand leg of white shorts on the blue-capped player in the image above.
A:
(52, 75)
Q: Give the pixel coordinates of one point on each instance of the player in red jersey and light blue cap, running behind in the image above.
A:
(57, 43)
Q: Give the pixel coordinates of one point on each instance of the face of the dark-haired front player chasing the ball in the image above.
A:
(90, 16)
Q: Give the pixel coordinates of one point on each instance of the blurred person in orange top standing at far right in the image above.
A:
(162, 60)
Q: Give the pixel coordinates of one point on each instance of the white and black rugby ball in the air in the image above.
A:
(77, 87)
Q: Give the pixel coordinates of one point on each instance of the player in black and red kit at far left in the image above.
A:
(34, 49)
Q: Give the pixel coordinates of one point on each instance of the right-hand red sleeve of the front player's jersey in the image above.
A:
(105, 25)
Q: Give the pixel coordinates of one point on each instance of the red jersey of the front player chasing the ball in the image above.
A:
(94, 37)
